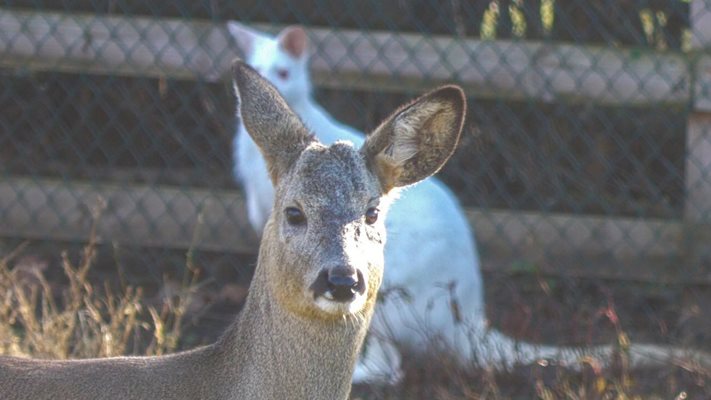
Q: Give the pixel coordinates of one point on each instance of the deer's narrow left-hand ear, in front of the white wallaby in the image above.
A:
(274, 127)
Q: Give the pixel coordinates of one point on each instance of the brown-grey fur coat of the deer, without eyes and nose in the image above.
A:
(284, 344)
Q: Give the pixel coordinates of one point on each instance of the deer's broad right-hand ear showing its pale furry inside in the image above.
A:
(415, 141)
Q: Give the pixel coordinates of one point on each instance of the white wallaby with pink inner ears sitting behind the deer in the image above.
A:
(432, 285)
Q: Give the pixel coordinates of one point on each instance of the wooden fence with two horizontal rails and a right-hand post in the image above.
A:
(368, 60)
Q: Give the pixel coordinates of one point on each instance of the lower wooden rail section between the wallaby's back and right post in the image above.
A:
(537, 236)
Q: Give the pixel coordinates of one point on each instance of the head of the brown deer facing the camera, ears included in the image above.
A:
(323, 245)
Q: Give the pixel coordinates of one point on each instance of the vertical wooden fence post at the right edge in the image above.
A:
(697, 207)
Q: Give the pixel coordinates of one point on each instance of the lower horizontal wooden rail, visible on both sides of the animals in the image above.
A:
(165, 216)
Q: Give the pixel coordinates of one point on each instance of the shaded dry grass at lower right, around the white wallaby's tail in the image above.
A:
(438, 376)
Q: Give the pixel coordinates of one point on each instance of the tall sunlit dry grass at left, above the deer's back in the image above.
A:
(79, 319)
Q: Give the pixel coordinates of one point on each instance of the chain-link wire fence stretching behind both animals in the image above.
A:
(586, 154)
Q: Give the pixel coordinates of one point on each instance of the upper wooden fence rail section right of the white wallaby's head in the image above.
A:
(510, 69)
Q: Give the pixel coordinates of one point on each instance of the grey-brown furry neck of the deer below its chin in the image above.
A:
(303, 358)
